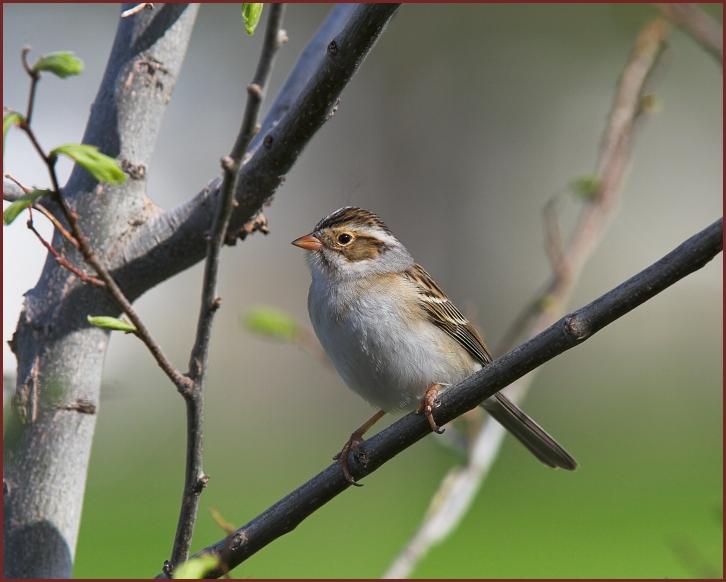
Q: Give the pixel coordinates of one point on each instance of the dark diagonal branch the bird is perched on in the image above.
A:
(568, 332)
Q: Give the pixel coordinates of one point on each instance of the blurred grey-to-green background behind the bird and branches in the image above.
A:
(461, 124)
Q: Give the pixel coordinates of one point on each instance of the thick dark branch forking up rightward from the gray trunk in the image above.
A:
(175, 240)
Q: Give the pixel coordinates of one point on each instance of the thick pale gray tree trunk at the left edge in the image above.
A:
(60, 358)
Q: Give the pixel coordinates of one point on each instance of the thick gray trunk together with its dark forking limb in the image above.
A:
(60, 358)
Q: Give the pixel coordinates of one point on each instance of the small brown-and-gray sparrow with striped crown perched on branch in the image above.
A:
(393, 335)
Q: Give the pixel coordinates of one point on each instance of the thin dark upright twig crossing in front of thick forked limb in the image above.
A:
(195, 479)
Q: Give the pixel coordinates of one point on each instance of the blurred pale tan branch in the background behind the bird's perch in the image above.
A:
(459, 488)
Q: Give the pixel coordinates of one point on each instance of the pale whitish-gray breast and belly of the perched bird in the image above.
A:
(381, 343)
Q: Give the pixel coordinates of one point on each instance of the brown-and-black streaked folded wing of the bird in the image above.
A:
(446, 316)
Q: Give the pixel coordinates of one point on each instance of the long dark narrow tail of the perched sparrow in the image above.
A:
(528, 432)
